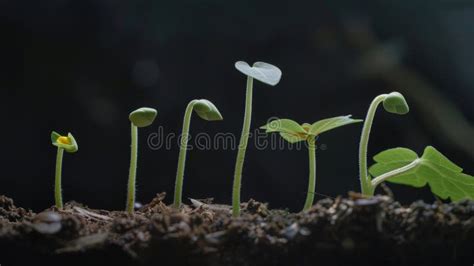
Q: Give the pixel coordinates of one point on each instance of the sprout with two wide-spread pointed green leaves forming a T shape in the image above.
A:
(292, 132)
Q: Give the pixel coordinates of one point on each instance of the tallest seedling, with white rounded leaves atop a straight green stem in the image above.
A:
(268, 74)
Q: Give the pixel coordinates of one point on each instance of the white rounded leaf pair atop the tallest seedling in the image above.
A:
(264, 72)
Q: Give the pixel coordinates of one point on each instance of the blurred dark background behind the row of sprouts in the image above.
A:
(82, 66)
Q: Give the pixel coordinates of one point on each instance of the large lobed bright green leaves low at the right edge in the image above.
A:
(445, 178)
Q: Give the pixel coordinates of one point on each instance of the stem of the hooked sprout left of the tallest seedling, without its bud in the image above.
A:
(178, 187)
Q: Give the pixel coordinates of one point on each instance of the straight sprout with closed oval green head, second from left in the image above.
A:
(141, 117)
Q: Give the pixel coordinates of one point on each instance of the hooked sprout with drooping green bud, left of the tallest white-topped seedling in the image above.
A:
(207, 111)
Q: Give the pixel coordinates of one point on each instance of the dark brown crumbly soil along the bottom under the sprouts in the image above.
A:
(341, 231)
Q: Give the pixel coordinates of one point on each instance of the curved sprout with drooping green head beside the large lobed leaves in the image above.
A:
(393, 103)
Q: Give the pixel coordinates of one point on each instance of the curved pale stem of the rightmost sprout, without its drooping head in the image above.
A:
(365, 181)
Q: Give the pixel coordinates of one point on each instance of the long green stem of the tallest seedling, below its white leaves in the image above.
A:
(239, 163)
